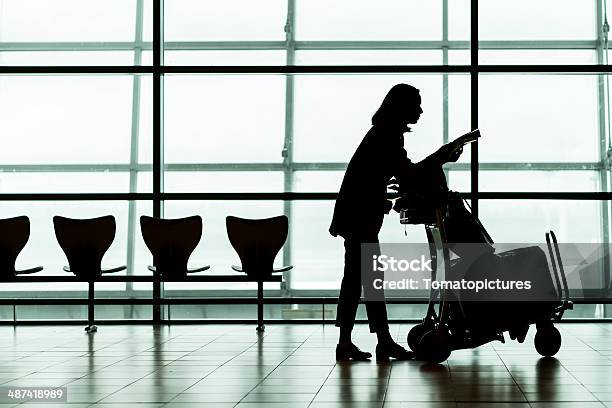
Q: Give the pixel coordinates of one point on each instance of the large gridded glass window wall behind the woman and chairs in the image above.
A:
(273, 97)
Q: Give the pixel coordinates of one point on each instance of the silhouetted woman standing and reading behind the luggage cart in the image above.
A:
(362, 204)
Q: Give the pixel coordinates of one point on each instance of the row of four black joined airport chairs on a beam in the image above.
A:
(170, 241)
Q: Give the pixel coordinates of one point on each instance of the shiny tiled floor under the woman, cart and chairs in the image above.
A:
(293, 366)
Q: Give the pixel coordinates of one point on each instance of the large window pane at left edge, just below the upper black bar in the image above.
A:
(67, 119)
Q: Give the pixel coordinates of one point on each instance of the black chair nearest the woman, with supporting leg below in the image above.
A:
(257, 242)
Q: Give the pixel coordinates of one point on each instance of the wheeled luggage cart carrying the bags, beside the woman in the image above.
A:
(447, 329)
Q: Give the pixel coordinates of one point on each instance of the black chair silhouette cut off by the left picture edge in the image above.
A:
(14, 234)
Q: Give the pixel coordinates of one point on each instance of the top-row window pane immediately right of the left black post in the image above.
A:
(229, 20)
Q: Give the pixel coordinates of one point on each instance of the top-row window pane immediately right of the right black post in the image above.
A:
(537, 20)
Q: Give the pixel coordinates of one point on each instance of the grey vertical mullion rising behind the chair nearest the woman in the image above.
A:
(288, 141)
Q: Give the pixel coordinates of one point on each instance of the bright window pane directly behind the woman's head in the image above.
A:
(332, 113)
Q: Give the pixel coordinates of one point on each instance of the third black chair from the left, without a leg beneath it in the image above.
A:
(171, 242)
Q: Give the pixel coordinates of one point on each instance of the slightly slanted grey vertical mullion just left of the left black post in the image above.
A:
(134, 143)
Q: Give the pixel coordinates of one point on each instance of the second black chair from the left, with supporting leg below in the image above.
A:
(85, 241)
